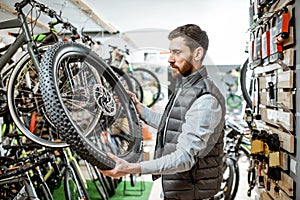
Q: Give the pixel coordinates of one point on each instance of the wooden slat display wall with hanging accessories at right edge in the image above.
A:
(279, 119)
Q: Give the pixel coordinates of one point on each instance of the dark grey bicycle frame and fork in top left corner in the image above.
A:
(23, 38)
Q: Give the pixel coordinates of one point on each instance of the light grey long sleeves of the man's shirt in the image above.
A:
(200, 121)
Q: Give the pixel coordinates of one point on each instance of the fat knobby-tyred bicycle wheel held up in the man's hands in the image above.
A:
(78, 88)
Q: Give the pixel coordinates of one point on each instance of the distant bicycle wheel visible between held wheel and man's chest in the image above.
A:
(150, 84)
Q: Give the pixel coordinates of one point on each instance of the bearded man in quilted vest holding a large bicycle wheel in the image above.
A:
(189, 149)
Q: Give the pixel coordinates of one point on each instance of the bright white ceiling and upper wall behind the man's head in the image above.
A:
(146, 24)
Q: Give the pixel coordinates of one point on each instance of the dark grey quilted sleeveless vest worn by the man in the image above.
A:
(204, 179)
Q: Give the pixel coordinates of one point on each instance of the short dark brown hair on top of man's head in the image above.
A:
(193, 35)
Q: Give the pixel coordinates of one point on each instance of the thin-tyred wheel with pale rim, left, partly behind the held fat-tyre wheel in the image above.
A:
(27, 108)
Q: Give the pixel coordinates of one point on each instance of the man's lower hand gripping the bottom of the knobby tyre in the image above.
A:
(122, 168)
